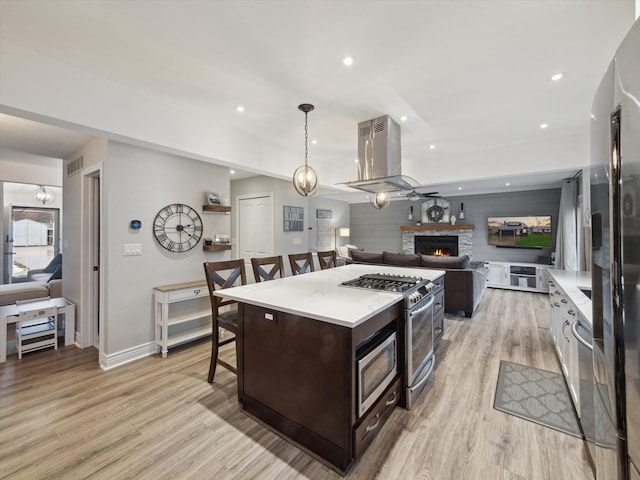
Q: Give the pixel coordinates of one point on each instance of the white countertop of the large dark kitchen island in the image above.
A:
(318, 295)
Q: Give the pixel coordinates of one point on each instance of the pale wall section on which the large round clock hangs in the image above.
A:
(139, 183)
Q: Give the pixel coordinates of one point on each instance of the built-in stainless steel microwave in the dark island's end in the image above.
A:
(376, 371)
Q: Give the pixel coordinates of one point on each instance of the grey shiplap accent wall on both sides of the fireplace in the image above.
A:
(379, 230)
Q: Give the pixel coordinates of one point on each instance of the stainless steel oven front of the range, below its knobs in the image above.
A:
(419, 354)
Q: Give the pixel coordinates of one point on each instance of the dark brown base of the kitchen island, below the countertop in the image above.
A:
(298, 375)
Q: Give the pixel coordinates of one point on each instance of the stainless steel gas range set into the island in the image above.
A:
(418, 306)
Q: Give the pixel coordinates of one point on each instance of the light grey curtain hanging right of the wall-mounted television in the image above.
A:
(567, 236)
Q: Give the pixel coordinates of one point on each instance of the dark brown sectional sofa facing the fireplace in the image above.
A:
(464, 281)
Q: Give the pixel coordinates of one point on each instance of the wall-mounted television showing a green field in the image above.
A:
(526, 232)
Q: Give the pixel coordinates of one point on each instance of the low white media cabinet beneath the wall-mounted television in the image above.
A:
(517, 276)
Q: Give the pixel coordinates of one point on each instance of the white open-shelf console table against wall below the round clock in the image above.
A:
(182, 313)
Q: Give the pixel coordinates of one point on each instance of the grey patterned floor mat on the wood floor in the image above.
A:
(536, 395)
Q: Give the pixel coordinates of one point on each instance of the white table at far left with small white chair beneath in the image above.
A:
(9, 314)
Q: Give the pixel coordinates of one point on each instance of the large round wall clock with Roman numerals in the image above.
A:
(177, 227)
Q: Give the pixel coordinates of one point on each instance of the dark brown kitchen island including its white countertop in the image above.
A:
(298, 341)
